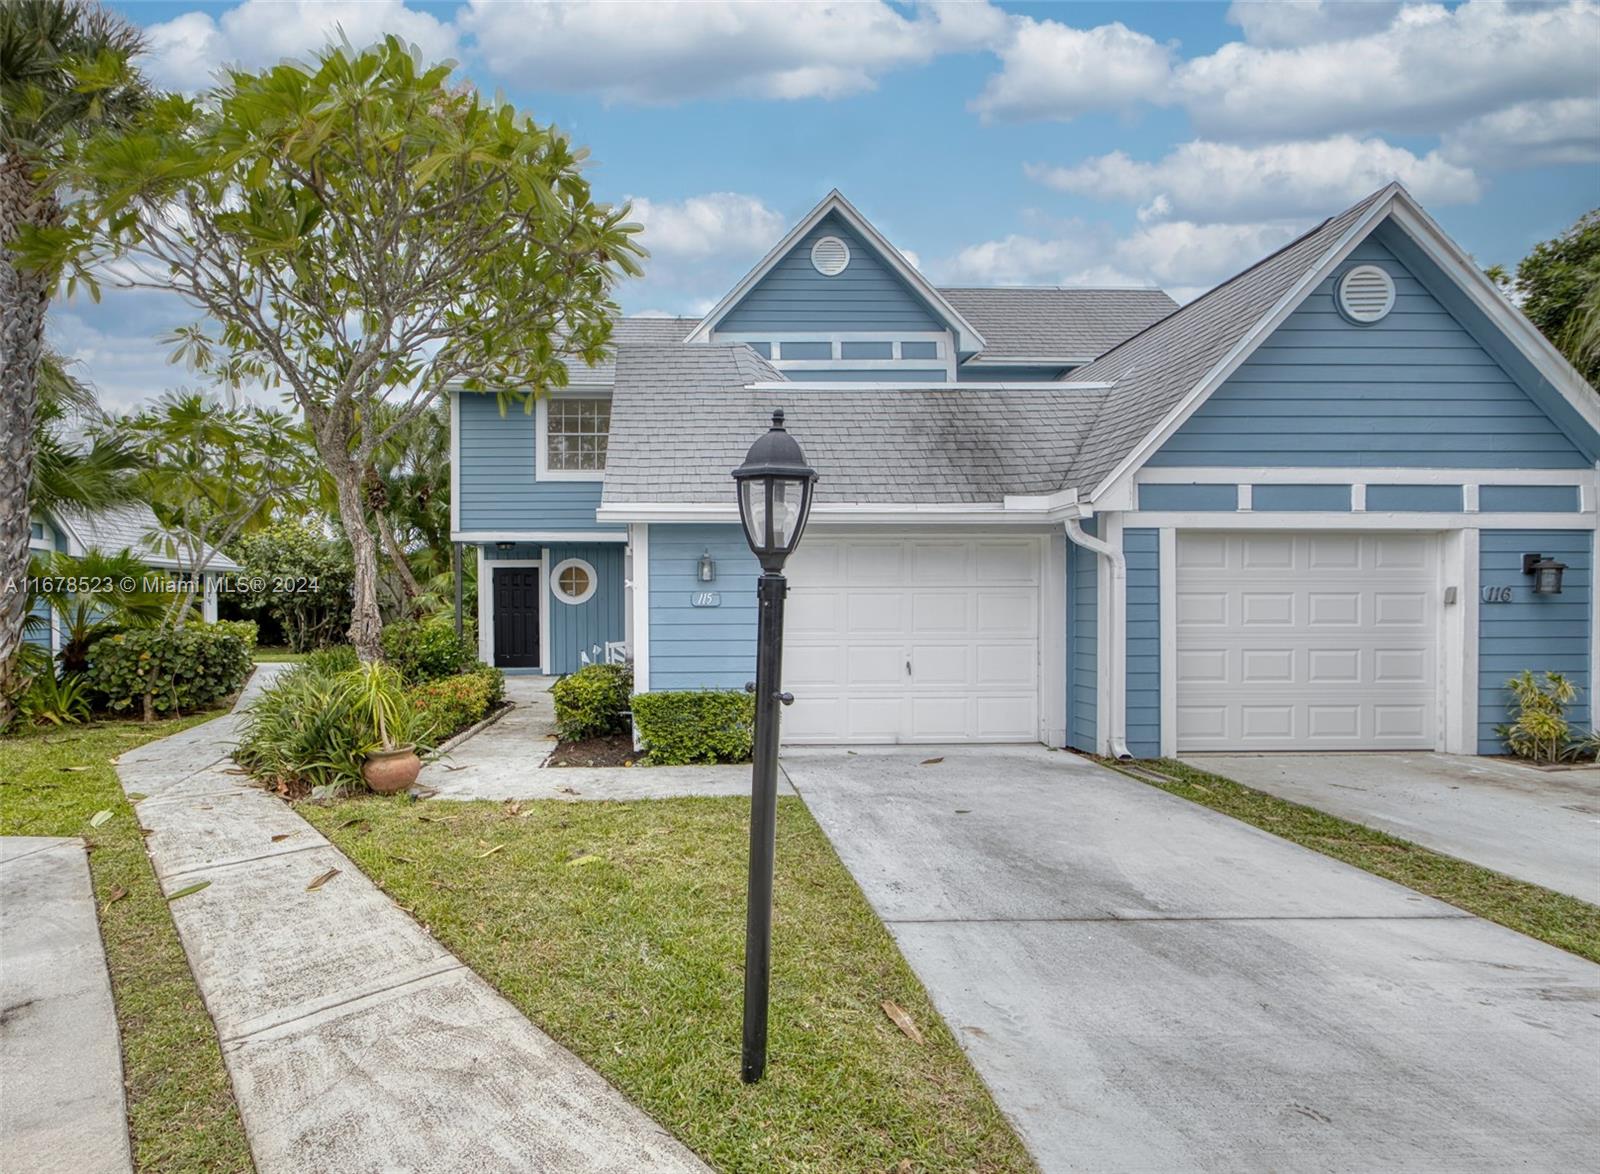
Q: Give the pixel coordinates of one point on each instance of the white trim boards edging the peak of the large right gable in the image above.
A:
(1116, 490)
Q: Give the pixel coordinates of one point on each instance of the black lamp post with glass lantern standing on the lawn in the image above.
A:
(775, 489)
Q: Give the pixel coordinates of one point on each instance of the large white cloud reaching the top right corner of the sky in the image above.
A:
(1428, 71)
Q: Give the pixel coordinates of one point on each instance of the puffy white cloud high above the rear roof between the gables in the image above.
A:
(1054, 71)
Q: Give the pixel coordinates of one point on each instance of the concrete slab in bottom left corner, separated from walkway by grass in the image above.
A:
(62, 1098)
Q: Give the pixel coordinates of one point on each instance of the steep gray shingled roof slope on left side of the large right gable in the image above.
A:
(1161, 365)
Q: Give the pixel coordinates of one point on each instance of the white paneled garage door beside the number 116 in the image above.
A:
(1306, 642)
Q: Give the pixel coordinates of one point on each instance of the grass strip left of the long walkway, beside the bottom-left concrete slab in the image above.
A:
(182, 1111)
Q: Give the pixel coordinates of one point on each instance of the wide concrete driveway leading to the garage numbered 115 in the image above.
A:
(1150, 986)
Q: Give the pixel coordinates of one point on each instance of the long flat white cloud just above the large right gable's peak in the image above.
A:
(1225, 183)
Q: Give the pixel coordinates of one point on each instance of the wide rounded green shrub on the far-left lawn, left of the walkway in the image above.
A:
(178, 671)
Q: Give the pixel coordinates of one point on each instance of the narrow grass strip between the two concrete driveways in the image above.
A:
(1529, 909)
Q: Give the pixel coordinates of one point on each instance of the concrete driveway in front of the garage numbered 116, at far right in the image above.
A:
(1537, 826)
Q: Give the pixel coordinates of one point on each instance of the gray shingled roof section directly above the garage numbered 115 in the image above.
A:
(682, 420)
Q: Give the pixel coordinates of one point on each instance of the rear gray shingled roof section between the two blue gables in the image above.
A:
(1057, 322)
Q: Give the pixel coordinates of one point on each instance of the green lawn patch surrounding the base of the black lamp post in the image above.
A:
(620, 930)
